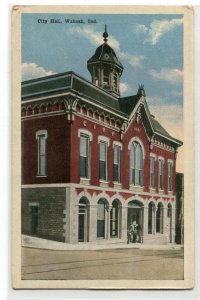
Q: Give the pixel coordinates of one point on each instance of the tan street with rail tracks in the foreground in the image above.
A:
(113, 264)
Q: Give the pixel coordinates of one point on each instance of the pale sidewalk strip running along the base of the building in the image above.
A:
(34, 242)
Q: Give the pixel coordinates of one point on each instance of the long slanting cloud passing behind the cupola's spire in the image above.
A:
(95, 38)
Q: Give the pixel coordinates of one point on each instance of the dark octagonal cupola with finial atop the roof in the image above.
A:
(105, 68)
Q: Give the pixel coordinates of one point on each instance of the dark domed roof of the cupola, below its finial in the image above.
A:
(105, 53)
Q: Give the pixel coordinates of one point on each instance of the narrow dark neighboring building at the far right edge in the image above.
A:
(179, 208)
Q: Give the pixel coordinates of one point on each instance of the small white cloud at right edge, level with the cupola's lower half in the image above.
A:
(173, 76)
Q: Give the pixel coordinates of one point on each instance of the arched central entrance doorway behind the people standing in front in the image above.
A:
(135, 214)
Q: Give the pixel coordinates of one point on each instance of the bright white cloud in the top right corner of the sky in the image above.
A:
(157, 29)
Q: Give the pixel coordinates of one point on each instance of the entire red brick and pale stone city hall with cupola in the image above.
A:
(93, 162)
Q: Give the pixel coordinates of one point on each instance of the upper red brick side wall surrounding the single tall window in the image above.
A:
(57, 149)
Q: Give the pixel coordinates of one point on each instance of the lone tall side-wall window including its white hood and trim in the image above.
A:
(41, 136)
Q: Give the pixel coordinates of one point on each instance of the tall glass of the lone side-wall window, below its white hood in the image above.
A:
(42, 155)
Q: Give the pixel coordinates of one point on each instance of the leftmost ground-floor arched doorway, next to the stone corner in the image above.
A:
(83, 217)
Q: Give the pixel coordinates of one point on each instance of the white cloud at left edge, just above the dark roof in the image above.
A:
(32, 70)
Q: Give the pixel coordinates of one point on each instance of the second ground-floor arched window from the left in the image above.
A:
(101, 218)
